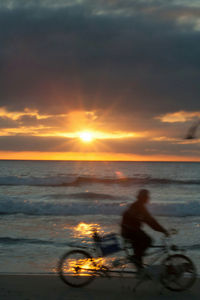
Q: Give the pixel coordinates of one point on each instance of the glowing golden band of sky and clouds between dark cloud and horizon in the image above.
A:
(88, 135)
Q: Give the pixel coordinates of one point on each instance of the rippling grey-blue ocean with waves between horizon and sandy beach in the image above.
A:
(48, 206)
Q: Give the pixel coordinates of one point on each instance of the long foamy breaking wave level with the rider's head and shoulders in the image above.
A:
(71, 208)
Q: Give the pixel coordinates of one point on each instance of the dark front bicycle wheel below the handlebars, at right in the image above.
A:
(179, 273)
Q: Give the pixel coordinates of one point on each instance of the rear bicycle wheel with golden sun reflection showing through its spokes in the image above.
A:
(76, 268)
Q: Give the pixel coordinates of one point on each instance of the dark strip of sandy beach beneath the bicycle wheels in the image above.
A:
(41, 287)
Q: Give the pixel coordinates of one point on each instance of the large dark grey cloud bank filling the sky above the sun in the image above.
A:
(129, 54)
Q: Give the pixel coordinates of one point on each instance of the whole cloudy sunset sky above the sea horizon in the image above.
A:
(99, 79)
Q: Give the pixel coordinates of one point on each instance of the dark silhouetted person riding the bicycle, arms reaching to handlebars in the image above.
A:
(132, 221)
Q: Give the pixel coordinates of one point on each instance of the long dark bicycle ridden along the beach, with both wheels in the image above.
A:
(79, 267)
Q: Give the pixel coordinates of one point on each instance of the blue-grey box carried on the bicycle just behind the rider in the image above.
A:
(109, 244)
